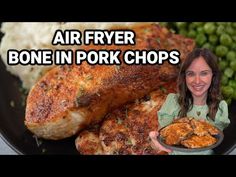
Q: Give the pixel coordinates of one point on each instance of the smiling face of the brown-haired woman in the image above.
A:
(198, 77)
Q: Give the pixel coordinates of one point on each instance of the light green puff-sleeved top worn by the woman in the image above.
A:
(170, 110)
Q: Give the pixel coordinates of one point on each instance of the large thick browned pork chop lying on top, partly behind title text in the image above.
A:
(69, 98)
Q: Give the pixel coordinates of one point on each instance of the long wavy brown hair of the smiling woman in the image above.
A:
(214, 97)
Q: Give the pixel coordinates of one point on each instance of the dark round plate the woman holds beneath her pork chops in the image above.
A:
(182, 148)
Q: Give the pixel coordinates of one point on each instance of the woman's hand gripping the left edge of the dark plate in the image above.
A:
(155, 144)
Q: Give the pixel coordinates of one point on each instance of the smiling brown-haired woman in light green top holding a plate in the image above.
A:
(199, 96)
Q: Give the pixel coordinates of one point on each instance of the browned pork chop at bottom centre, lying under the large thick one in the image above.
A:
(125, 130)
